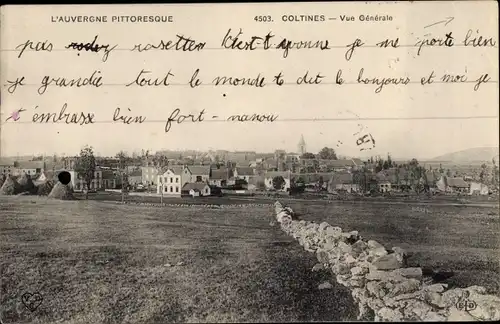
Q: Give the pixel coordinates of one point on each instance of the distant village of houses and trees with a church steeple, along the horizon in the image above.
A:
(216, 173)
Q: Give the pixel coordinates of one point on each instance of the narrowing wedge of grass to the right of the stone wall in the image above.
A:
(465, 240)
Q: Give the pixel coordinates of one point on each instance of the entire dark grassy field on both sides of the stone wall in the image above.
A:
(98, 262)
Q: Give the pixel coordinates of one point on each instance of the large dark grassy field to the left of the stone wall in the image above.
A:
(97, 262)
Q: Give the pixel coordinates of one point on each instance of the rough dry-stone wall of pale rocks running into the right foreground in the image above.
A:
(382, 286)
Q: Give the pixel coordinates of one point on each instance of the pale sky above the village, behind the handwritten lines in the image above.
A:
(404, 120)
